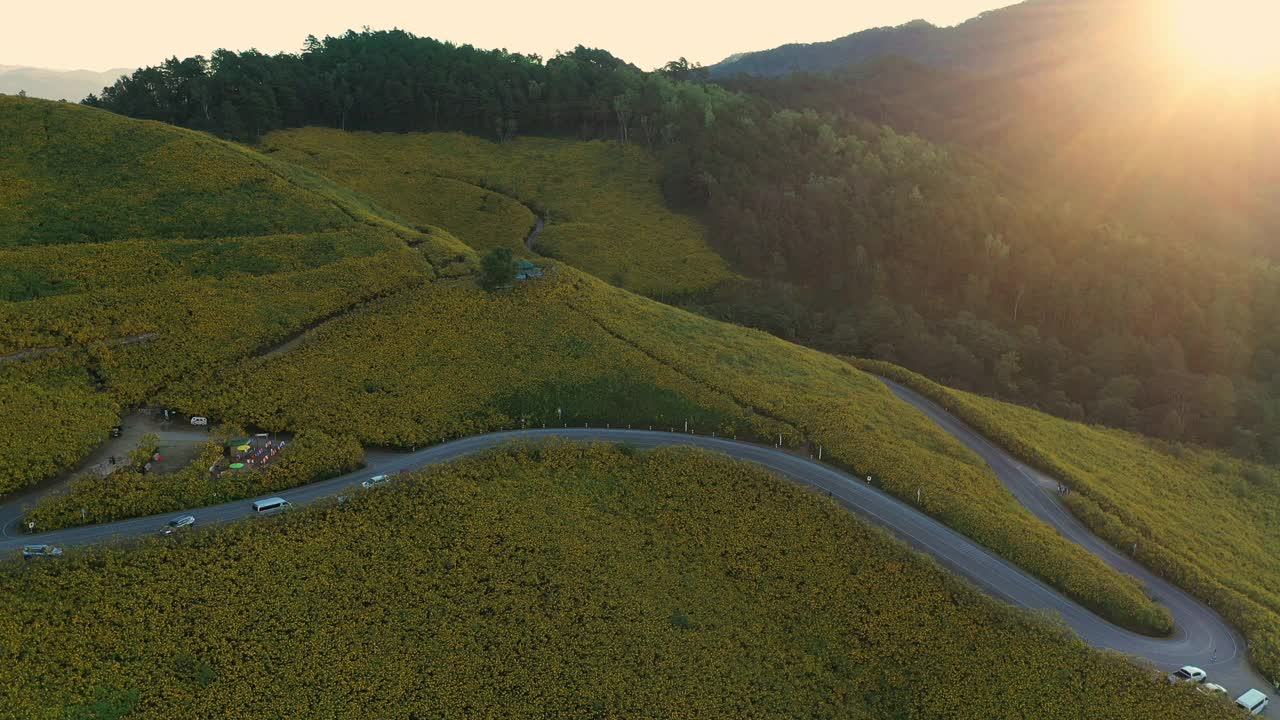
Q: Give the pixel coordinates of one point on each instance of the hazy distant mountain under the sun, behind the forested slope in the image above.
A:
(1072, 97)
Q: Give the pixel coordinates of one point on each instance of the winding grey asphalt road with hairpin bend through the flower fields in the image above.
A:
(1201, 631)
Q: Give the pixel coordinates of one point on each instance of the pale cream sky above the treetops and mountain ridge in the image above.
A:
(100, 35)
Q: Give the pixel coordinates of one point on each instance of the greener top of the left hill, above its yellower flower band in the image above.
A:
(76, 175)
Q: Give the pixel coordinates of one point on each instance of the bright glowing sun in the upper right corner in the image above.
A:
(1228, 38)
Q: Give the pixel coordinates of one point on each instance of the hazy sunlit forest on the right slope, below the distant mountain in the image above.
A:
(876, 244)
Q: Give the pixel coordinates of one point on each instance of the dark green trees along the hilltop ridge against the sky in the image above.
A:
(394, 81)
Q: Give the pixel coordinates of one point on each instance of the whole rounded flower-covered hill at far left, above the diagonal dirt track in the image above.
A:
(97, 320)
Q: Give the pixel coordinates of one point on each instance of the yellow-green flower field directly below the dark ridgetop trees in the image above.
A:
(605, 209)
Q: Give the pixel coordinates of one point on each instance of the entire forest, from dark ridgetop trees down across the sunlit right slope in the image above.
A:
(860, 239)
